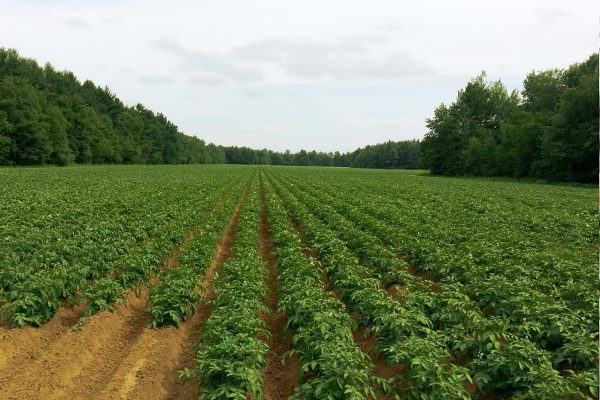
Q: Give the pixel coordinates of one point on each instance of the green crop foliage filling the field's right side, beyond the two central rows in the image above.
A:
(510, 263)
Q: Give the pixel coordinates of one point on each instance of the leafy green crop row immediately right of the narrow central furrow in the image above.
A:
(331, 364)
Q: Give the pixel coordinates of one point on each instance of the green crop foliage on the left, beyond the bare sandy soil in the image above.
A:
(92, 233)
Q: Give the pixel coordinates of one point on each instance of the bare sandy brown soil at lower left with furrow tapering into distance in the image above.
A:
(114, 356)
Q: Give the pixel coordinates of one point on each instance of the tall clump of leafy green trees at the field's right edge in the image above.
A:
(548, 131)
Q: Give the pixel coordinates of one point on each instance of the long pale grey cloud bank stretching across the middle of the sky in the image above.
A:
(346, 58)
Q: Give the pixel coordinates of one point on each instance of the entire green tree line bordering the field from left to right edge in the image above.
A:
(549, 130)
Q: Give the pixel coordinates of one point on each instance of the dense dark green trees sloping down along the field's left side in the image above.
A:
(49, 117)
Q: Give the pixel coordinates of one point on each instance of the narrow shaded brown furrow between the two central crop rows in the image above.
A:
(280, 378)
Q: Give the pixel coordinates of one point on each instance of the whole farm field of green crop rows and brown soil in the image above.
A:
(270, 282)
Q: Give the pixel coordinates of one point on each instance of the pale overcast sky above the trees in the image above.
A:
(319, 75)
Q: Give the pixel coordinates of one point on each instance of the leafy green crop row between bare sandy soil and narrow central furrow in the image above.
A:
(230, 355)
